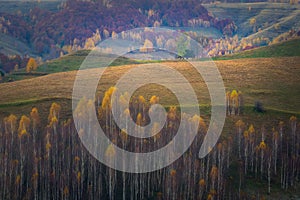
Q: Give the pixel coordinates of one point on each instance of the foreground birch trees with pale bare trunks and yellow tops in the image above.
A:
(39, 162)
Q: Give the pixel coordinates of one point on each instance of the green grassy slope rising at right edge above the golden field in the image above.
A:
(283, 49)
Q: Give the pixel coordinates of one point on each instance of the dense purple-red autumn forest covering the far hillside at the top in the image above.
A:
(75, 21)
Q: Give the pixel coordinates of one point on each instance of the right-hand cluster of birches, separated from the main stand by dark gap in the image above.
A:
(270, 155)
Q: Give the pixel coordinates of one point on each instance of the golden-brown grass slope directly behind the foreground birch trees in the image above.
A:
(273, 81)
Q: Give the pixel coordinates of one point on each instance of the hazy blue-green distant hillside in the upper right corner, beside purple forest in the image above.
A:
(271, 19)
